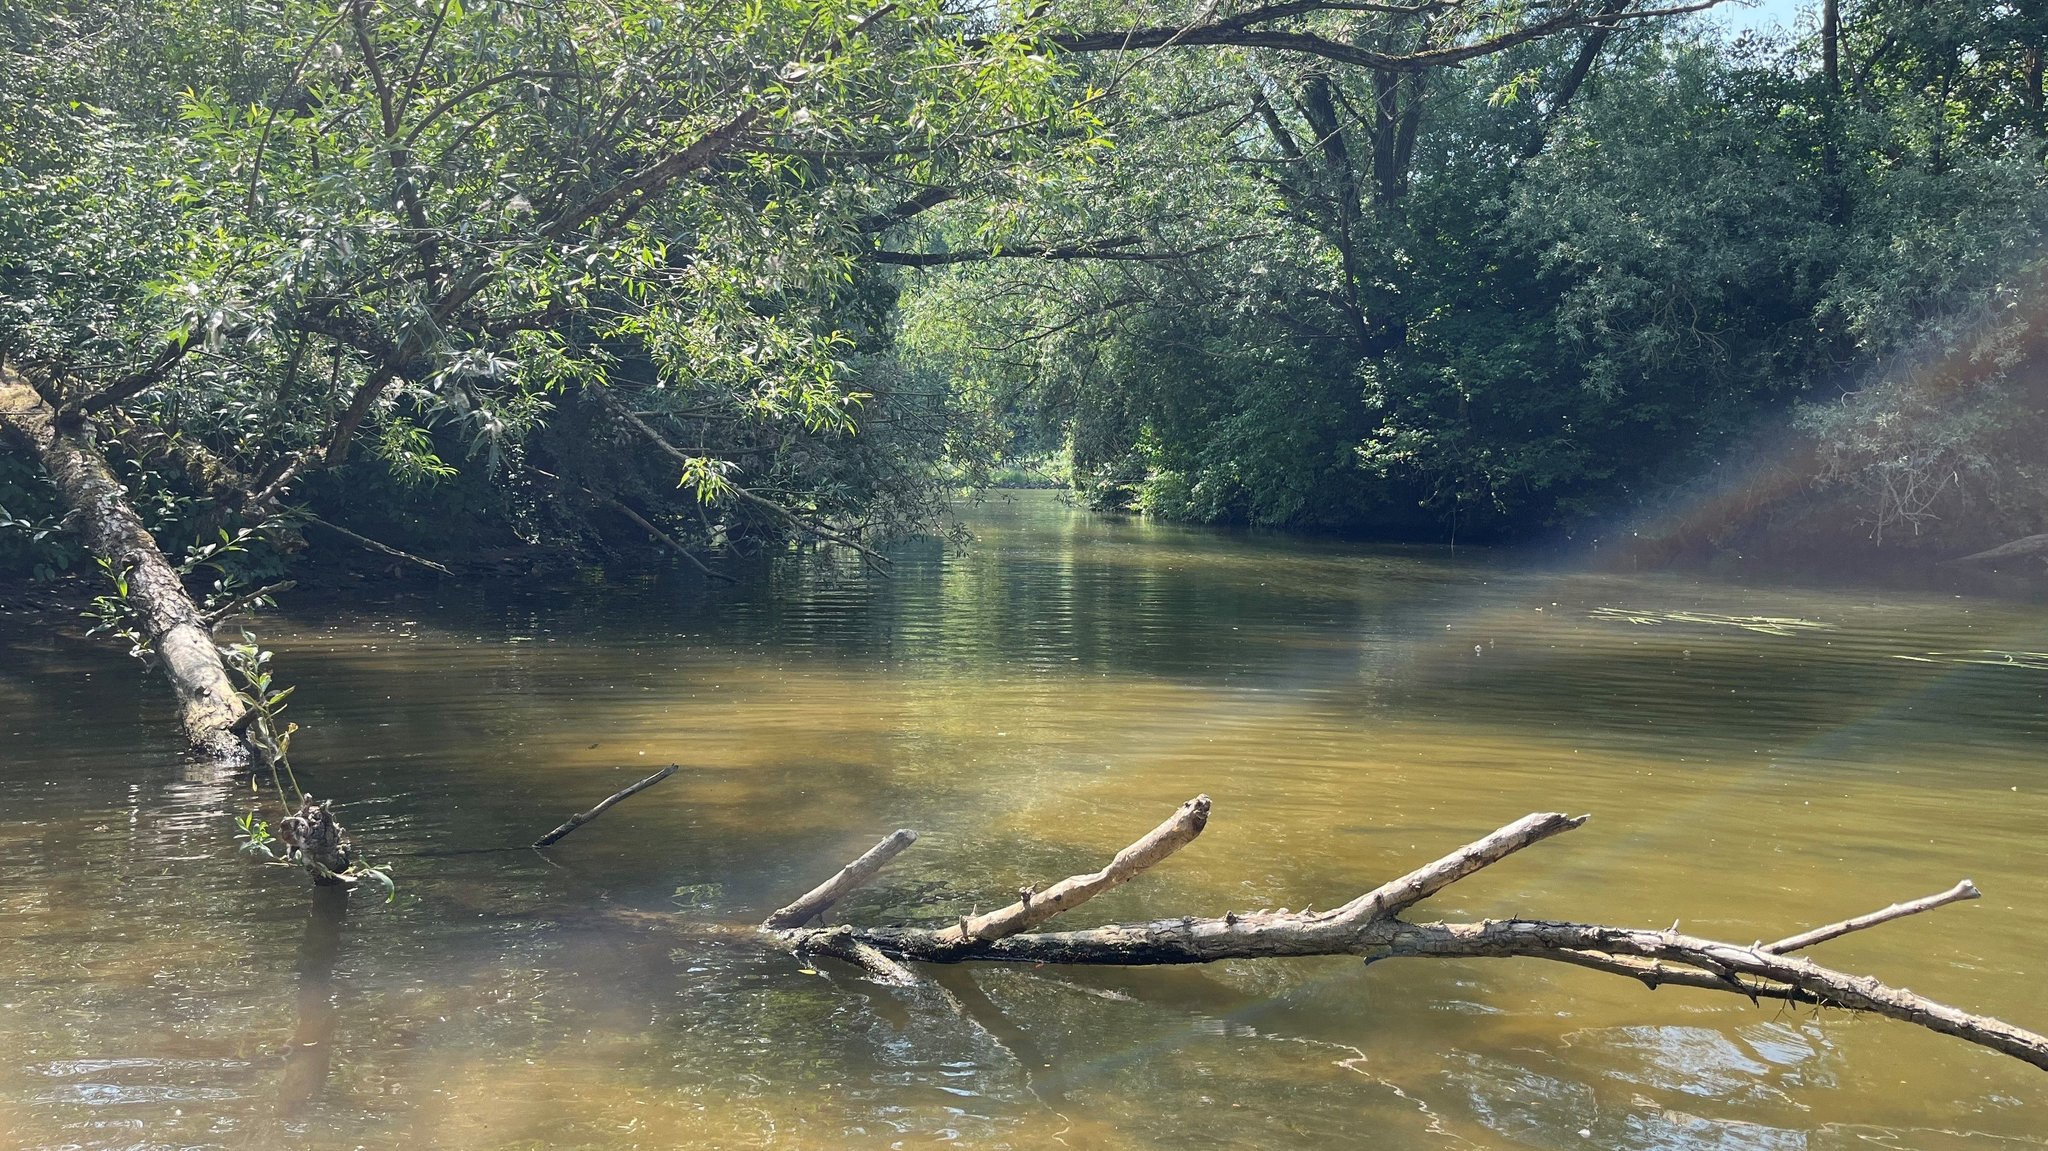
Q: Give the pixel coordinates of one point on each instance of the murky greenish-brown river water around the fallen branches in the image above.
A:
(1031, 706)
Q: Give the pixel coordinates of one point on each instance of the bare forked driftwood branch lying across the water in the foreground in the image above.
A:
(1371, 927)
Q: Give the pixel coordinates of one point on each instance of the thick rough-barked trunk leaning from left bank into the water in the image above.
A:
(210, 712)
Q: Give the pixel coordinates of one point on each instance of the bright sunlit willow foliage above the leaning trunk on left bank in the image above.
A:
(499, 273)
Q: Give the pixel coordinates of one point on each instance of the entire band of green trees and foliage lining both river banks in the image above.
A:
(626, 275)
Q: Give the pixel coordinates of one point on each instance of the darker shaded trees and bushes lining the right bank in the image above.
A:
(1504, 302)
